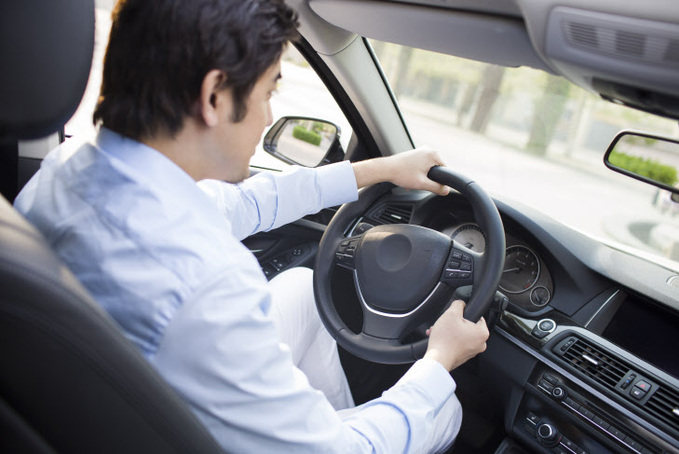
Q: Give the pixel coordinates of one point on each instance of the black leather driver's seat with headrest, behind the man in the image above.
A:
(69, 380)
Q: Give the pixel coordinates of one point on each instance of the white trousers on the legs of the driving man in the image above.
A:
(314, 352)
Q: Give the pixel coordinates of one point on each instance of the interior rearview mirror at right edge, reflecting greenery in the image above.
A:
(645, 157)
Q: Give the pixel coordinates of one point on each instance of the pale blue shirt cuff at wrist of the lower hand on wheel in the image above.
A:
(433, 379)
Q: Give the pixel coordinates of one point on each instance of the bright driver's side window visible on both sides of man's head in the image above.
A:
(300, 93)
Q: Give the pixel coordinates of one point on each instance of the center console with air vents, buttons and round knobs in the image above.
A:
(587, 395)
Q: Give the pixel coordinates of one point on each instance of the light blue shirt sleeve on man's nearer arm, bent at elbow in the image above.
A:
(221, 353)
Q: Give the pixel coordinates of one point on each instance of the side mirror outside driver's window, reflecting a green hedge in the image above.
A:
(308, 142)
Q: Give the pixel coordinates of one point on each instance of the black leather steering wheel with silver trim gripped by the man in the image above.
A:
(405, 275)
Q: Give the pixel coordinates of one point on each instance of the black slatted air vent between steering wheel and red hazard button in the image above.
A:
(594, 363)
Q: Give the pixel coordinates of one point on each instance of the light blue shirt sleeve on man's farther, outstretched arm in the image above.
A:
(271, 199)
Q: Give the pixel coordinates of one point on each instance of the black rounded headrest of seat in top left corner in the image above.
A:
(46, 52)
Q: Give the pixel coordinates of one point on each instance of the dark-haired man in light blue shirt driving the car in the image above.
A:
(185, 98)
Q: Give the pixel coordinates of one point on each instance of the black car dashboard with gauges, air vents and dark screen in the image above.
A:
(589, 361)
